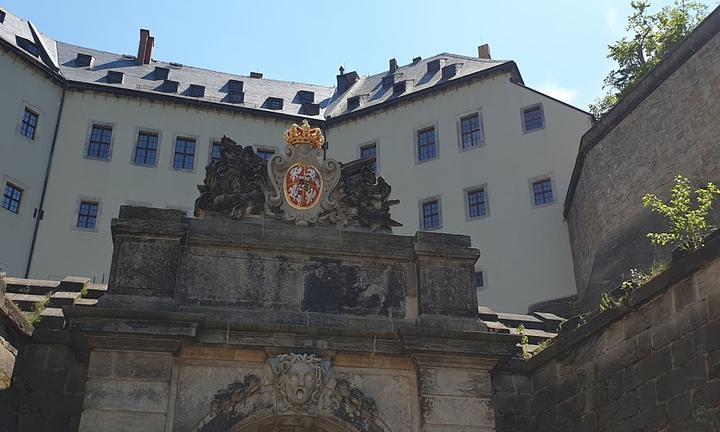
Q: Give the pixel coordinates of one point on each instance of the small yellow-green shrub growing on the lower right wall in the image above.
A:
(687, 213)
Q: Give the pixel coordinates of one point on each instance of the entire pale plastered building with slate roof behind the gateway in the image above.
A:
(466, 146)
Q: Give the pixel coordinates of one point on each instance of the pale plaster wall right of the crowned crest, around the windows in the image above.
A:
(525, 250)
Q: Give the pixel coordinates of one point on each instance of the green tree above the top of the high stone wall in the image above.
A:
(651, 37)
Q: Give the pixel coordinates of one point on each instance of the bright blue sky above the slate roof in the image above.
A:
(559, 45)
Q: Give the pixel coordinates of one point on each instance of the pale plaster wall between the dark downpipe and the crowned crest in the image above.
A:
(64, 250)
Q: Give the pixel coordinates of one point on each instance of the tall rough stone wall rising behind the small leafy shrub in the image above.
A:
(652, 135)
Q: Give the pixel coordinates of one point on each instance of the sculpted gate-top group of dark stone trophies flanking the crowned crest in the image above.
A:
(298, 186)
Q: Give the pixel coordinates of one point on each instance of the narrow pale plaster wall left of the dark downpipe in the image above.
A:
(23, 161)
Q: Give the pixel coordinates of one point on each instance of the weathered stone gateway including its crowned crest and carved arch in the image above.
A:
(286, 306)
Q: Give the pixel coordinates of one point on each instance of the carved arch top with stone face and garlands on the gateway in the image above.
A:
(300, 394)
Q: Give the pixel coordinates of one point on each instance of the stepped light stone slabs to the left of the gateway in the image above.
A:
(42, 300)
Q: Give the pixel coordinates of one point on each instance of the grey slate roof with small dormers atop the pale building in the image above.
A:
(327, 103)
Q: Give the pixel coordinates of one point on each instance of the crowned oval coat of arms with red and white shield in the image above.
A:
(302, 182)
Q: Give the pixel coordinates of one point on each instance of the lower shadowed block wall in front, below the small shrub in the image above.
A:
(650, 365)
